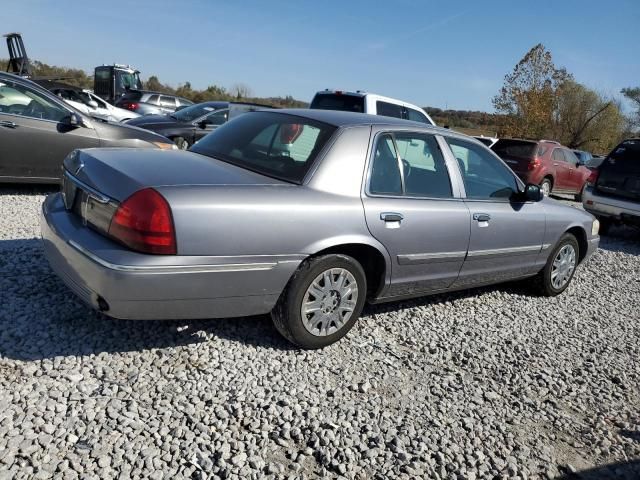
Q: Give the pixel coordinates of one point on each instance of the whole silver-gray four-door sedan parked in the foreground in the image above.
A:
(305, 214)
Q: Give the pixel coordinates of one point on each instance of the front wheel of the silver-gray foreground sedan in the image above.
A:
(560, 267)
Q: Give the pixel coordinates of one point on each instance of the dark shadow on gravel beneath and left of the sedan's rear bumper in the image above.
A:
(41, 318)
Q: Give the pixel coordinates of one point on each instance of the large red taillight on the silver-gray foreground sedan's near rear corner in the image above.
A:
(143, 222)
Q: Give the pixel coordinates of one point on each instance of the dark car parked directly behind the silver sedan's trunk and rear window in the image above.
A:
(188, 125)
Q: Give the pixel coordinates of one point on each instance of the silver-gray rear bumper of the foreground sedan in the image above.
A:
(138, 286)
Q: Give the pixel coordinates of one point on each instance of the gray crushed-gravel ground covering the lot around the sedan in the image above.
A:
(492, 383)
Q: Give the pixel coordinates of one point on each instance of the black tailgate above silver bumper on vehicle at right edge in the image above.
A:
(620, 172)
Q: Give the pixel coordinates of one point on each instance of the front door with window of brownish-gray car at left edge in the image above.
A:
(34, 135)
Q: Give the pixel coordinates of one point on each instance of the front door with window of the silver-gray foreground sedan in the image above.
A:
(506, 236)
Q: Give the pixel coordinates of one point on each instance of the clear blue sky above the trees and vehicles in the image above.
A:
(439, 53)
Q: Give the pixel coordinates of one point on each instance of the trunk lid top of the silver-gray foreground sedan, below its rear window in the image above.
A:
(118, 172)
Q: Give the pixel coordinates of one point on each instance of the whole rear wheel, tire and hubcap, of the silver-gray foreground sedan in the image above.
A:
(322, 301)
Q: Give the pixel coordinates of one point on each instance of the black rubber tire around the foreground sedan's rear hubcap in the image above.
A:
(287, 315)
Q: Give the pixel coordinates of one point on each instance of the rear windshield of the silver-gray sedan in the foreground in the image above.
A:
(278, 145)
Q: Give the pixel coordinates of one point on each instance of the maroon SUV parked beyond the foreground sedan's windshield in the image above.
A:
(546, 163)
